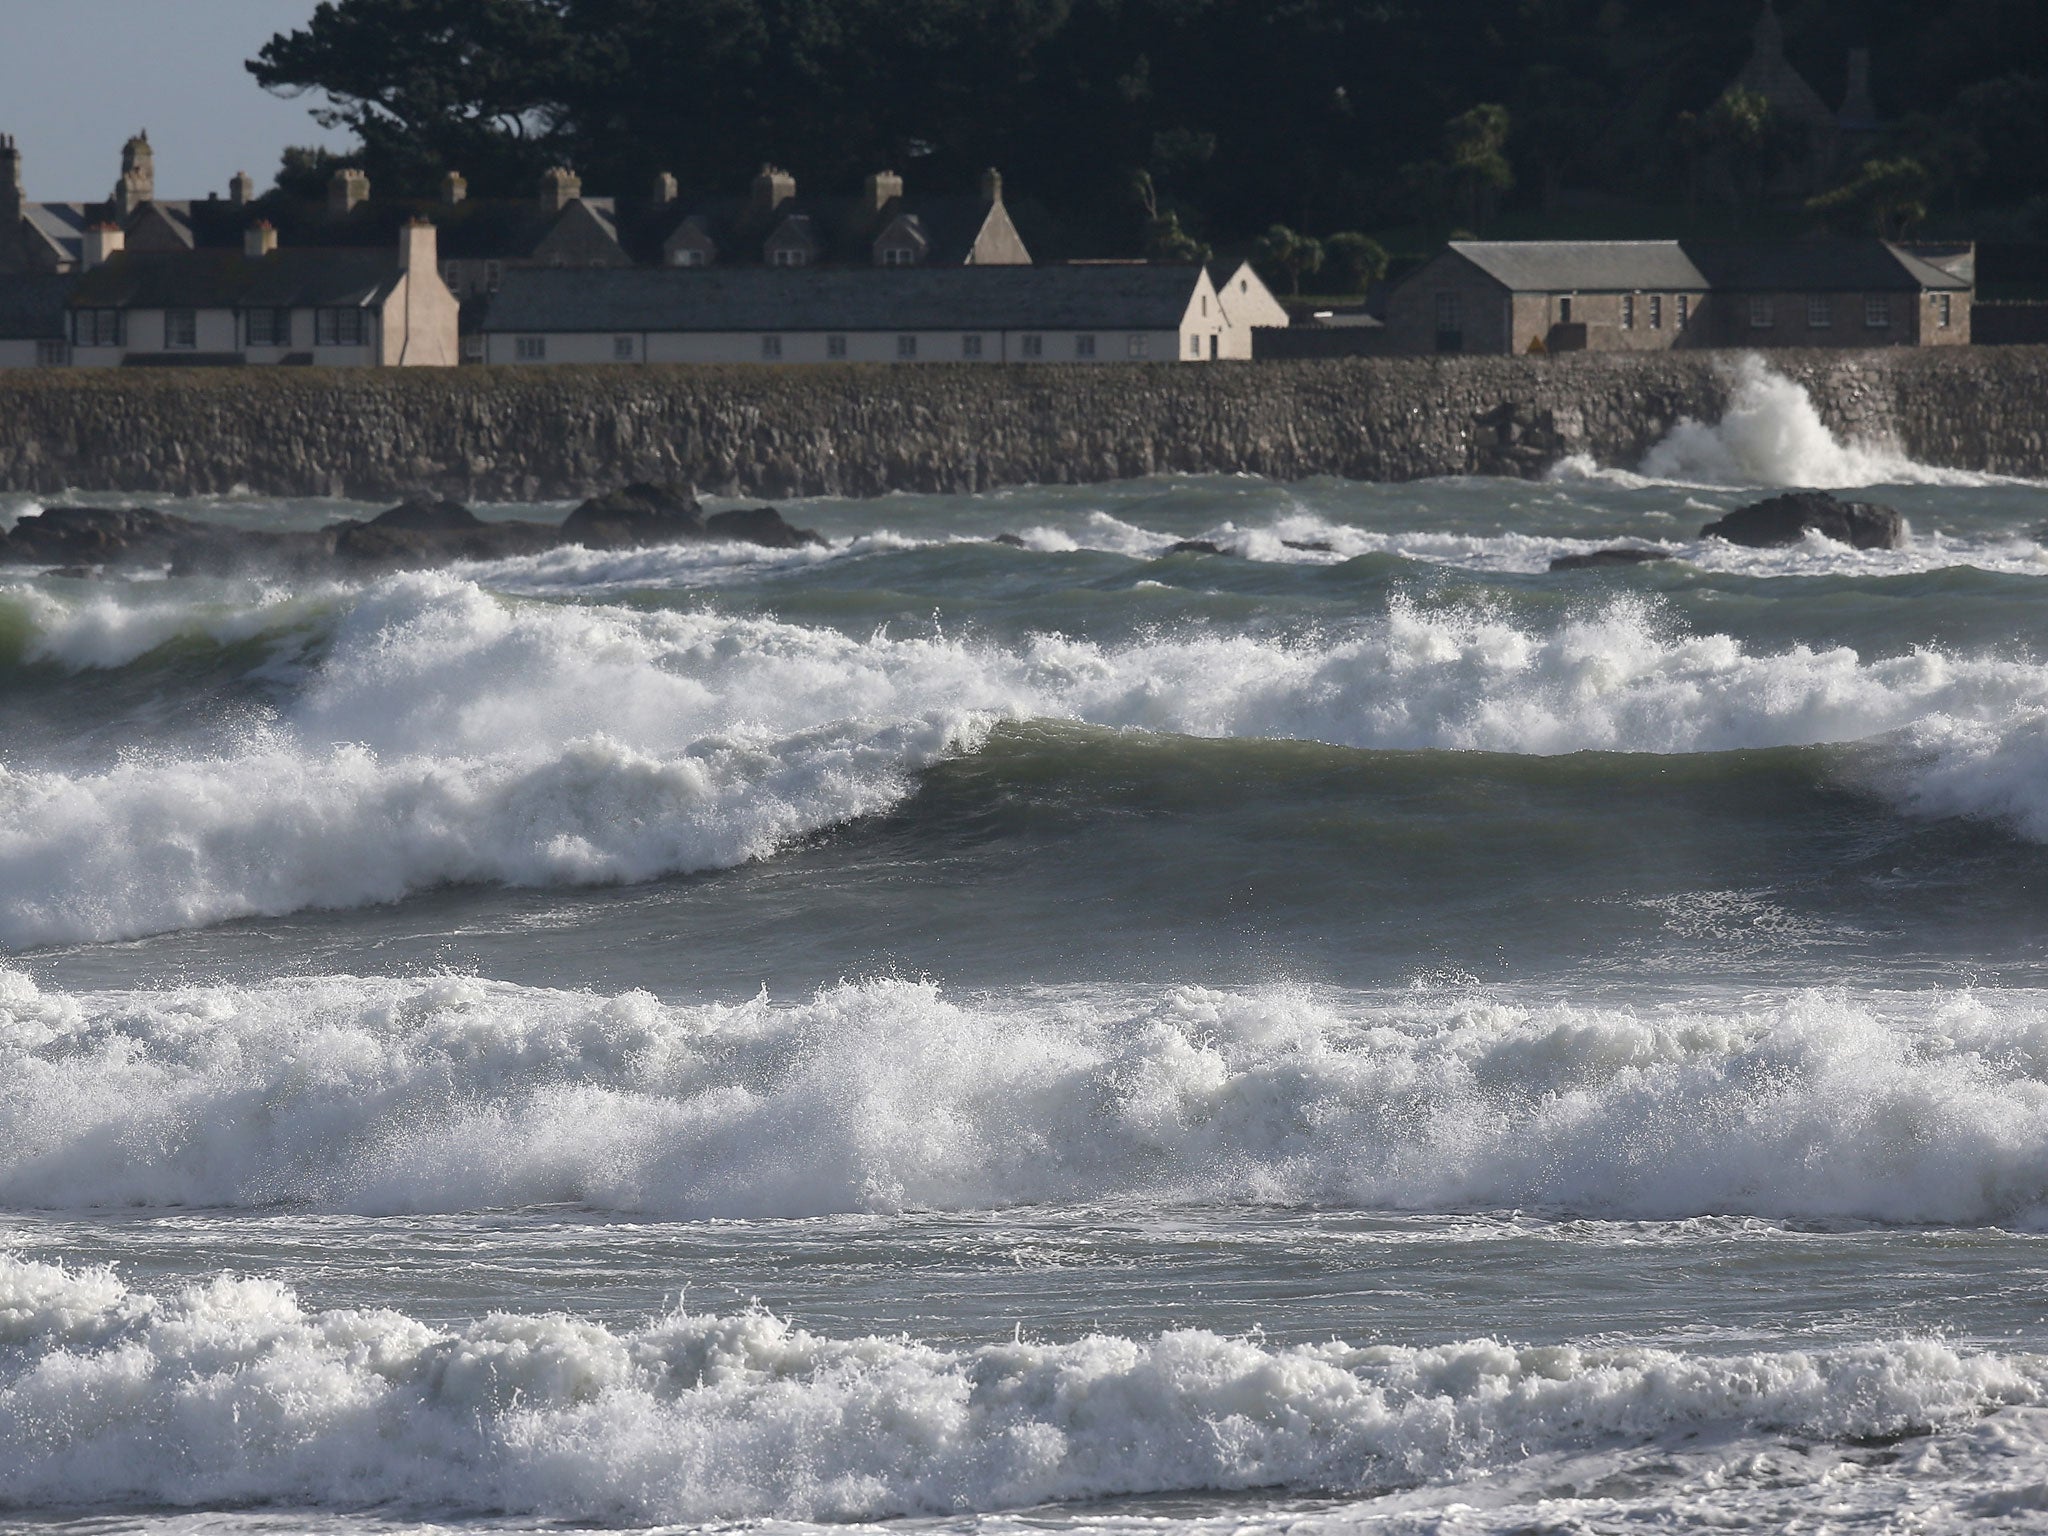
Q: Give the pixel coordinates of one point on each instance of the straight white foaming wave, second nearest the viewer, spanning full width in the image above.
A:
(460, 1095)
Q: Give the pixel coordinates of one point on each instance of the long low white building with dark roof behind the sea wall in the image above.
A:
(974, 314)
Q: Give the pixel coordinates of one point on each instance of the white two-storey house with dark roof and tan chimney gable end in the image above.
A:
(198, 308)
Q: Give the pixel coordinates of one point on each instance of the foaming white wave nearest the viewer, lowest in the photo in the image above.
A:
(234, 1392)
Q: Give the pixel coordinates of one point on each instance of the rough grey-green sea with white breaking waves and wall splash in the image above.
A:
(1351, 1033)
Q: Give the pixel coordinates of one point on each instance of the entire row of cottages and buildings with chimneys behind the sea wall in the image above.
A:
(876, 280)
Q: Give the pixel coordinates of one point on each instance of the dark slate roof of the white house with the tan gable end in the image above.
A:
(220, 280)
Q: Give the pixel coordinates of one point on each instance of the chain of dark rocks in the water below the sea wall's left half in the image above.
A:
(407, 538)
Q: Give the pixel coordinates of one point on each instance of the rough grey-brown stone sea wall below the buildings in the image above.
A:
(554, 433)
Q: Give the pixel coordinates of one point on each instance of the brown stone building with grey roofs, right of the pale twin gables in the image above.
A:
(1644, 296)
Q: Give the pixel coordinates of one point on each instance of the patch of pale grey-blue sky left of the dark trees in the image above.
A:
(79, 77)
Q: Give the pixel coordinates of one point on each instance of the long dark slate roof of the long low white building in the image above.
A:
(843, 300)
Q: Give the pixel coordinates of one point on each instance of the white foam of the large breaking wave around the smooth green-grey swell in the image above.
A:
(447, 736)
